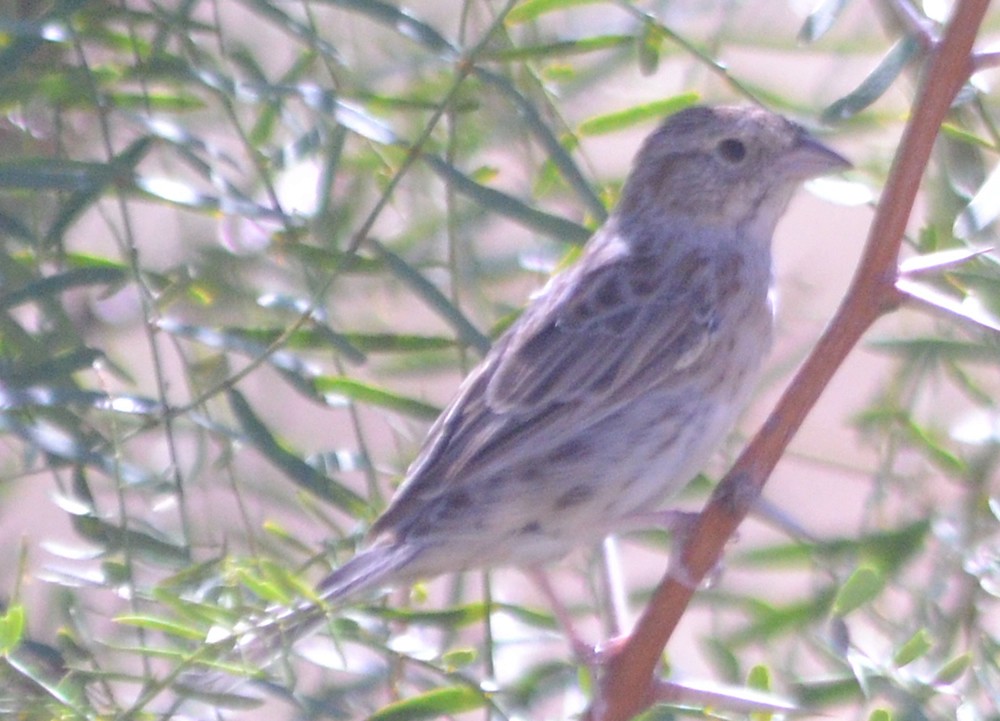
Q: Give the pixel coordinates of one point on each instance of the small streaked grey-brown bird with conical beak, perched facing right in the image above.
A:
(618, 380)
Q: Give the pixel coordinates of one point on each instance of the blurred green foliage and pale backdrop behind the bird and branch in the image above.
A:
(250, 248)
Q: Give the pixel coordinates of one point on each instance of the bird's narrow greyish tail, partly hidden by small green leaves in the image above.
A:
(262, 642)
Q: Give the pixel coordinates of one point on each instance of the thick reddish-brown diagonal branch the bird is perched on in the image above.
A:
(628, 686)
